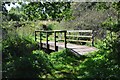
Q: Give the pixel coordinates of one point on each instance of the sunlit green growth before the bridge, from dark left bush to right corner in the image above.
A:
(96, 66)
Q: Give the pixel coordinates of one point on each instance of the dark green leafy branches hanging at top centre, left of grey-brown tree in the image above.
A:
(47, 11)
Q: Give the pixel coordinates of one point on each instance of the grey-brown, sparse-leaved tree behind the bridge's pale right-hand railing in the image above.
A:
(88, 16)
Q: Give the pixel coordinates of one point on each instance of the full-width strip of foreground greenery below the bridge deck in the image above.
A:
(62, 64)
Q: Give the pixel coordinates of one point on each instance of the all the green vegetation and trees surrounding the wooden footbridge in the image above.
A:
(23, 59)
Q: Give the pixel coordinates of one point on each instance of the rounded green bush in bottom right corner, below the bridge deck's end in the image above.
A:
(99, 66)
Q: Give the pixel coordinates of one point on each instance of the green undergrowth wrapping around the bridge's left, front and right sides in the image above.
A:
(22, 59)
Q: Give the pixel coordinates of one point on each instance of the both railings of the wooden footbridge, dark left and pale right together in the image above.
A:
(68, 36)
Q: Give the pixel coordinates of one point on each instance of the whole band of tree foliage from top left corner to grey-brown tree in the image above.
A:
(39, 11)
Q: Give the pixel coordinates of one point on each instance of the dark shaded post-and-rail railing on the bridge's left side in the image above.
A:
(46, 34)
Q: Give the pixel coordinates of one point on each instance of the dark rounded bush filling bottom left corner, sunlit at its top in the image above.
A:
(34, 65)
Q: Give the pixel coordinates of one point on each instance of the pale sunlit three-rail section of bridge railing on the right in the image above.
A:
(80, 36)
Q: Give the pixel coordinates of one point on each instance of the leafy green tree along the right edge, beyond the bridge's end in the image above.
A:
(113, 40)
